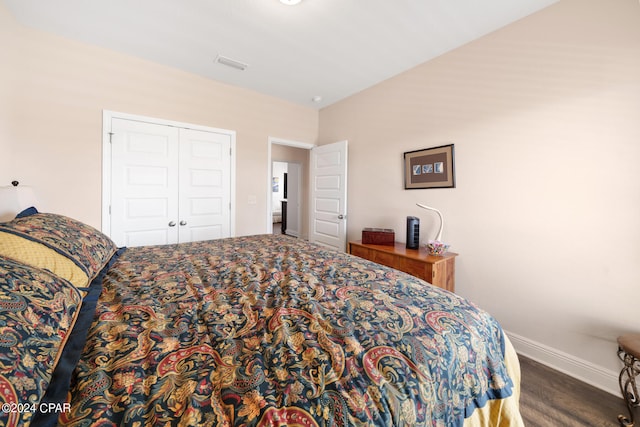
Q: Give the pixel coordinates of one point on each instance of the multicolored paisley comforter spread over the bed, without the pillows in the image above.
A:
(272, 331)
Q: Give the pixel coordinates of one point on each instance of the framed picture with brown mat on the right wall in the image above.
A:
(429, 168)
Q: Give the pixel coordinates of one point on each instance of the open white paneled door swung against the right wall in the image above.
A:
(328, 217)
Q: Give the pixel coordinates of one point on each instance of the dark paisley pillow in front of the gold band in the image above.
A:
(37, 312)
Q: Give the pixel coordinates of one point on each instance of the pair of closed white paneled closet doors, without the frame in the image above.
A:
(168, 184)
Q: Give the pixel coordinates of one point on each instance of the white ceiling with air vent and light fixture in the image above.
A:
(327, 48)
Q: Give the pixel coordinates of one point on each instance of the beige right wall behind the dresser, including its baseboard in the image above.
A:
(545, 118)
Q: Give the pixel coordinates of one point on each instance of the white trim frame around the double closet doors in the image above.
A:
(108, 115)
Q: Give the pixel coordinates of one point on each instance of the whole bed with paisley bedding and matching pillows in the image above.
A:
(263, 330)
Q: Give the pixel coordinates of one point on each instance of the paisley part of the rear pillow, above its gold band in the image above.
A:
(86, 247)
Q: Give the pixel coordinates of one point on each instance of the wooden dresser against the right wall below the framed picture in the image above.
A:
(437, 270)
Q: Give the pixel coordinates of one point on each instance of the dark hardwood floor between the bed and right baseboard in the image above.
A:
(551, 398)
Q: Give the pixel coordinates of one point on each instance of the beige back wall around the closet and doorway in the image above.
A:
(63, 87)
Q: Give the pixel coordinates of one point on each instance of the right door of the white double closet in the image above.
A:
(205, 171)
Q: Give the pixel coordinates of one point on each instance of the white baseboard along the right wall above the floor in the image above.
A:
(583, 370)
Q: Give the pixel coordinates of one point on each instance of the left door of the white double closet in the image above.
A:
(144, 183)
